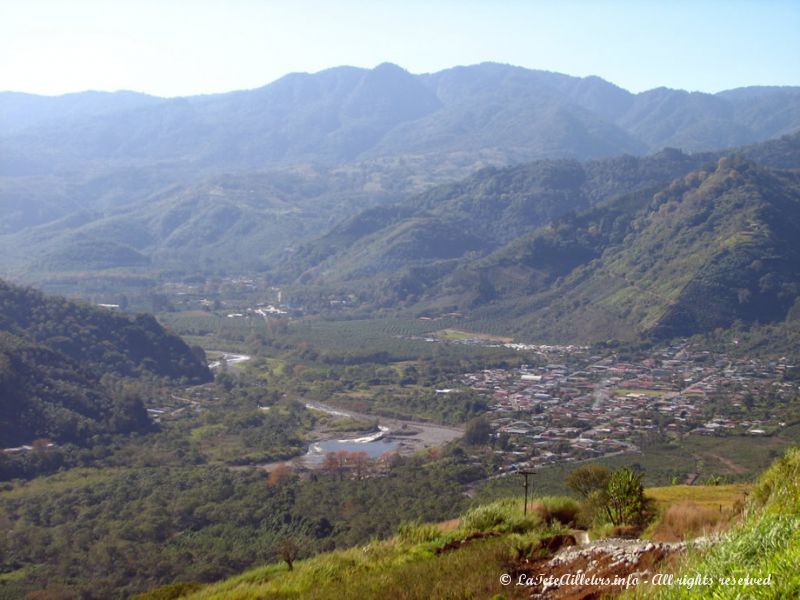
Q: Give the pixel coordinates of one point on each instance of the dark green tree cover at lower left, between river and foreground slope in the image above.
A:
(156, 524)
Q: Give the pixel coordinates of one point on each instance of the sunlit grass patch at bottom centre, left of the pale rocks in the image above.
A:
(415, 564)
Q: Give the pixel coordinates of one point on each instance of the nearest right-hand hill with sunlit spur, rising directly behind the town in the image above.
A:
(710, 249)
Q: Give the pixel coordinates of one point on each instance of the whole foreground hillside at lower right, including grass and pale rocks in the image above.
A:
(466, 558)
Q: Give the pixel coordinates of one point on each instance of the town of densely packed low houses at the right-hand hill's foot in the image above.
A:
(586, 407)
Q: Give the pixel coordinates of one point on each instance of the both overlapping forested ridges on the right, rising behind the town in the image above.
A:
(665, 245)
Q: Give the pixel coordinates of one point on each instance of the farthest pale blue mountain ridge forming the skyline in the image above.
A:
(346, 113)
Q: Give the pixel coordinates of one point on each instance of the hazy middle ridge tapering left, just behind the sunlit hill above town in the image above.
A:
(478, 215)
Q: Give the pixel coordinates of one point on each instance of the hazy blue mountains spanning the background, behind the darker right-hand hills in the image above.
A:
(228, 182)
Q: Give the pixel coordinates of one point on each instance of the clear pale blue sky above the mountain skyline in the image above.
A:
(185, 47)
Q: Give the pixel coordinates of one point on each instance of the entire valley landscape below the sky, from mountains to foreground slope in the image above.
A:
(340, 318)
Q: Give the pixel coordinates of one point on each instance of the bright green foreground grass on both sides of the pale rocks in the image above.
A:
(407, 566)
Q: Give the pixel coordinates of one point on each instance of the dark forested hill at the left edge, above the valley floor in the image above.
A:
(53, 354)
